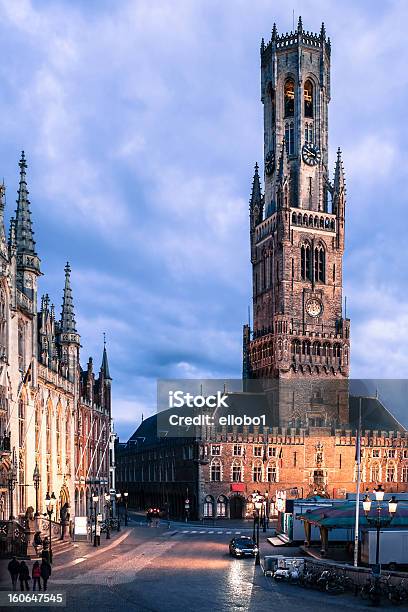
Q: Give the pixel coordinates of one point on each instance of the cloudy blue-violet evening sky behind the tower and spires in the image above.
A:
(142, 121)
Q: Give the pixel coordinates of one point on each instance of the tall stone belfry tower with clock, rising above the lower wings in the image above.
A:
(300, 336)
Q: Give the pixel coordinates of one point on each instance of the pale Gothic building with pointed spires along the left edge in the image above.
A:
(54, 418)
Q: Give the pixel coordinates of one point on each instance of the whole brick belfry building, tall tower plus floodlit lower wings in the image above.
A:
(299, 348)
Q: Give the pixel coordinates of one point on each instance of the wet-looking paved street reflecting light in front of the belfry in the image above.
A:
(186, 568)
